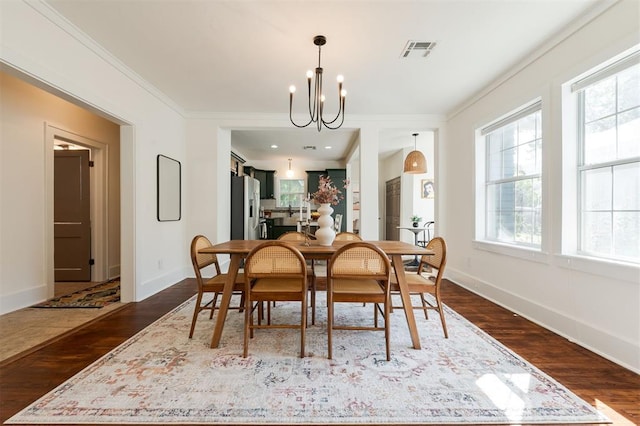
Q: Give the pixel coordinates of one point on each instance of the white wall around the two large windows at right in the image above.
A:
(596, 305)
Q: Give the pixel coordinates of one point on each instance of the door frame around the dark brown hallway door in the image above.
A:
(98, 202)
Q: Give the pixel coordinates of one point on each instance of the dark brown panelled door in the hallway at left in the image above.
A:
(71, 215)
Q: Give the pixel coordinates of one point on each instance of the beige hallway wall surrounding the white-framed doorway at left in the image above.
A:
(24, 111)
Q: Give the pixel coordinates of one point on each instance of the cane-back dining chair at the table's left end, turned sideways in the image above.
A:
(214, 284)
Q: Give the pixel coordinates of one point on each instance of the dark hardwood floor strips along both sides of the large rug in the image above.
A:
(610, 388)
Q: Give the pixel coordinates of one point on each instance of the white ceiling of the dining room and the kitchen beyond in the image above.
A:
(241, 56)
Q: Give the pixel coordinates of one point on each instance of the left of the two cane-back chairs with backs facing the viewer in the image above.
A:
(274, 271)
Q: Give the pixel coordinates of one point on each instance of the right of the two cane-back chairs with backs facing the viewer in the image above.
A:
(359, 272)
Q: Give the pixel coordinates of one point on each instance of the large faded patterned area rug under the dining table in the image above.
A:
(162, 376)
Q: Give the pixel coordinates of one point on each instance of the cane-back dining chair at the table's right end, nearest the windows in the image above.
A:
(427, 280)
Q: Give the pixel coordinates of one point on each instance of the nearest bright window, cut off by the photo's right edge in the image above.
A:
(608, 164)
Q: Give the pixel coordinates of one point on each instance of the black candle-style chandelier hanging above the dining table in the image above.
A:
(316, 101)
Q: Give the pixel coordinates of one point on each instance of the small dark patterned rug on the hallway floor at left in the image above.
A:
(96, 296)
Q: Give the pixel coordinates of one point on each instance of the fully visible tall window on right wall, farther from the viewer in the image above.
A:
(512, 195)
